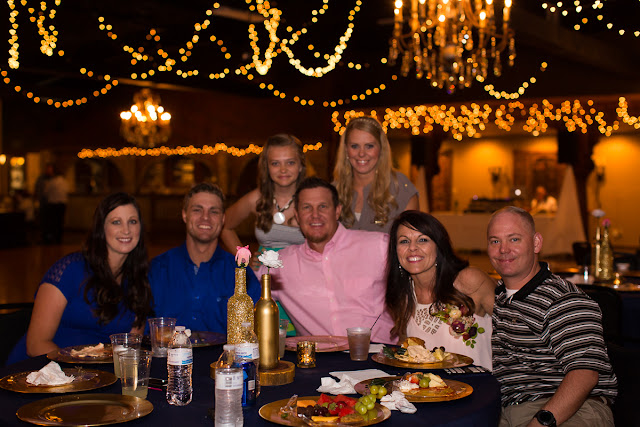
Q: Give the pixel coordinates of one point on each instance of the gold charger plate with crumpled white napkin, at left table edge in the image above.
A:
(85, 379)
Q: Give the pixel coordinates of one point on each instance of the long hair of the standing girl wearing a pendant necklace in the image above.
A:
(264, 205)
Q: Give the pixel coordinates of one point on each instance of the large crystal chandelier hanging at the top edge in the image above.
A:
(450, 42)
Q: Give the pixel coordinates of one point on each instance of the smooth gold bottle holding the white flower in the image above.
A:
(267, 319)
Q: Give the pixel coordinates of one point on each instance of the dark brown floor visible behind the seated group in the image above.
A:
(21, 269)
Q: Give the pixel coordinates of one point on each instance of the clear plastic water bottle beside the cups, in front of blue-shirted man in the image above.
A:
(179, 367)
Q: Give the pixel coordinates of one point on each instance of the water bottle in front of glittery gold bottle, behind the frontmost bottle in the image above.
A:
(247, 358)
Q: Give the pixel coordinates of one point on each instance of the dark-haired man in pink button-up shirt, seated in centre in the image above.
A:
(336, 279)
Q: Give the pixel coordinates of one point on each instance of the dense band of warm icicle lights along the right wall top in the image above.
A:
(469, 122)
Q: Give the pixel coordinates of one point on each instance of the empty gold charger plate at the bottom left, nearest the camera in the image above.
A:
(85, 410)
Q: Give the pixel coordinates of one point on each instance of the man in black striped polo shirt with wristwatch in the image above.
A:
(548, 350)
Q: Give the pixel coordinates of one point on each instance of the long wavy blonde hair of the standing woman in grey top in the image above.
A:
(380, 198)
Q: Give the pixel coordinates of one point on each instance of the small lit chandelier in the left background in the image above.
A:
(146, 124)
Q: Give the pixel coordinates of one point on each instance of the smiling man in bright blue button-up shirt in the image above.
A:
(194, 281)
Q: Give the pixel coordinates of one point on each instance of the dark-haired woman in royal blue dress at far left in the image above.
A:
(87, 296)
